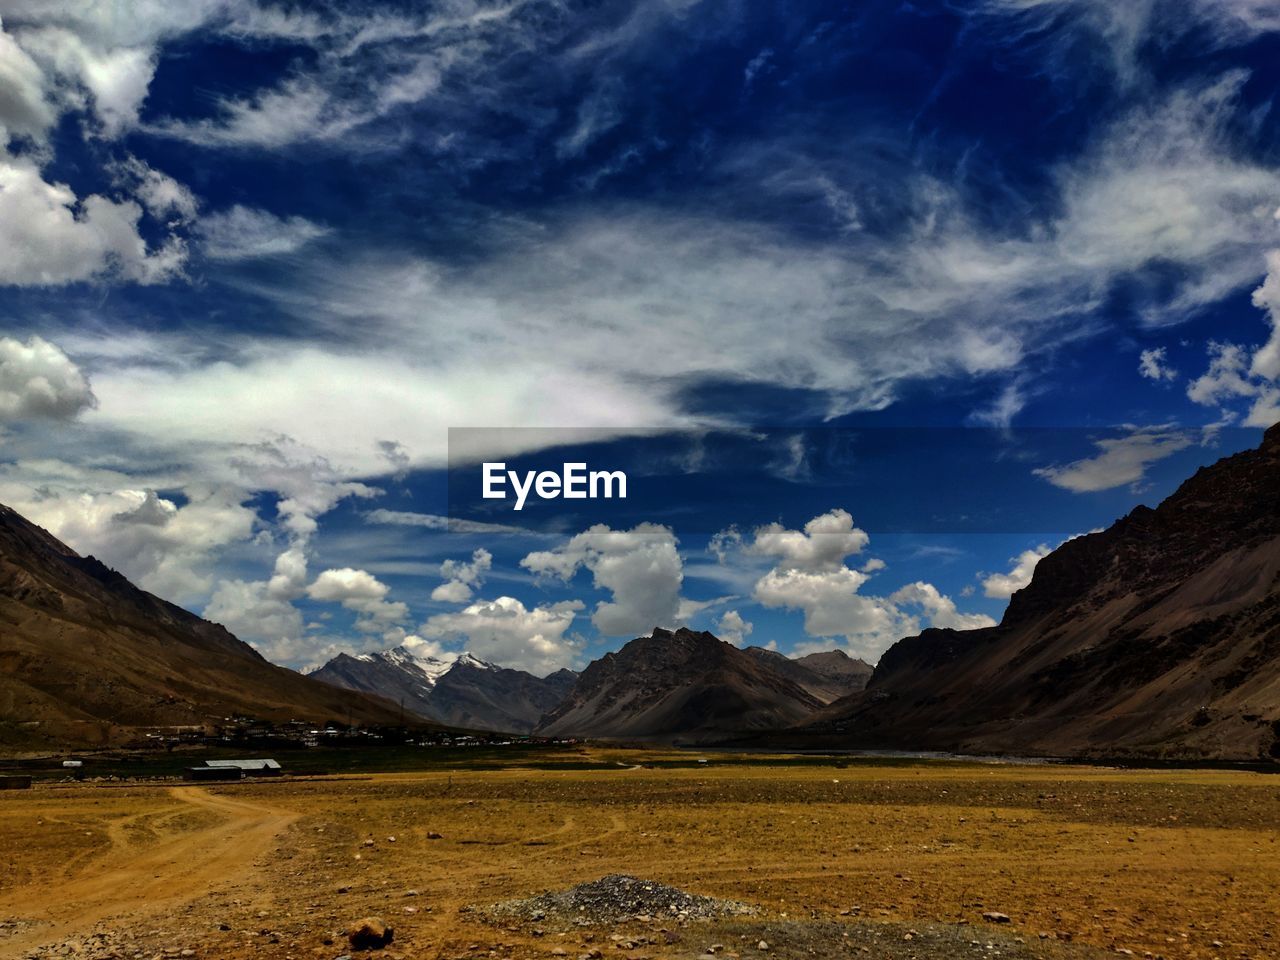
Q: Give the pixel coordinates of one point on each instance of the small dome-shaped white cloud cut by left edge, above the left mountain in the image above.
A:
(39, 381)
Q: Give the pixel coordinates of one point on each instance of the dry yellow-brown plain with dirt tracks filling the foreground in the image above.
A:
(843, 858)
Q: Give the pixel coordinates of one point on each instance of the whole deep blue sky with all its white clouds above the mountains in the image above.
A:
(876, 304)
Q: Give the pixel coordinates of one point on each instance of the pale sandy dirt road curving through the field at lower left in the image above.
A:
(130, 884)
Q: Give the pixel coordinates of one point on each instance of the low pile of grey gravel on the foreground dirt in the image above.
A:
(616, 899)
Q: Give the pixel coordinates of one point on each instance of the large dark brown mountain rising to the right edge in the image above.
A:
(1159, 638)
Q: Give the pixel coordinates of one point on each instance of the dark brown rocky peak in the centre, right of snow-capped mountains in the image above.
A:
(679, 685)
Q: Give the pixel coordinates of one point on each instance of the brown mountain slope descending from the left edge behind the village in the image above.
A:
(88, 659)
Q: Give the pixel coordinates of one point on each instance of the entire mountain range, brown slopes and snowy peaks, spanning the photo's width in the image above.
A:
(1159, 637)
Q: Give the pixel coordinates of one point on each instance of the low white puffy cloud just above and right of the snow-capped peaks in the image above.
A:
(508, 633)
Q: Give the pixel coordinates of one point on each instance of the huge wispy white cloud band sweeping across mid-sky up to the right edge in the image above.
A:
(697, 298)
